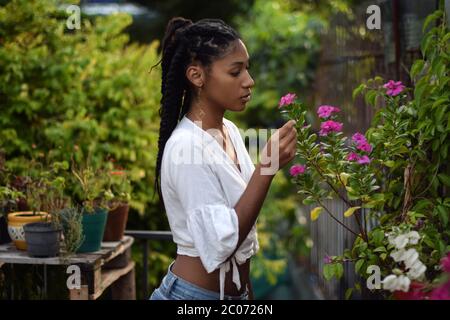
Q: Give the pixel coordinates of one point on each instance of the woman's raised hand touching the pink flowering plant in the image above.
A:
(280, 149)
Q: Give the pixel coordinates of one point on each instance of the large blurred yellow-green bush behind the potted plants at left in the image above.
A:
(62, 90)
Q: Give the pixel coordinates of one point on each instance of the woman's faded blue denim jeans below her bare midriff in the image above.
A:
(174, 288)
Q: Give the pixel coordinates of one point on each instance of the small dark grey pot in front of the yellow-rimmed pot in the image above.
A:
(42, 239)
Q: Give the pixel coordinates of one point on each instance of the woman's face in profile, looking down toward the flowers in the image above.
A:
(228, 83)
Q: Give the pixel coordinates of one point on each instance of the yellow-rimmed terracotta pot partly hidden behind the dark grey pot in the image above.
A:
(17, 220)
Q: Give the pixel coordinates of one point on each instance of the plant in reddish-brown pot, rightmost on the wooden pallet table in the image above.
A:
(120, 189)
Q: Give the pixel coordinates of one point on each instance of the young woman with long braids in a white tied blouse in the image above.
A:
(210, 188)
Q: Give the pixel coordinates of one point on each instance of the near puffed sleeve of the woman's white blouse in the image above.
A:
(211, 222)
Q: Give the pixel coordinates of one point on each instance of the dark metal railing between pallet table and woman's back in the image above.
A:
(147, 236)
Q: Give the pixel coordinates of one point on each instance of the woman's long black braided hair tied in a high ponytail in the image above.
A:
(185, 42)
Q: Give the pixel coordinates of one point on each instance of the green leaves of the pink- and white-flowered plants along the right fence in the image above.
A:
(405, 185)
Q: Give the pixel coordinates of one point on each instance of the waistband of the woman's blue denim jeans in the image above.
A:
(194, 289)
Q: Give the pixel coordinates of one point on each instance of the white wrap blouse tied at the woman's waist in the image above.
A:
(201, 185)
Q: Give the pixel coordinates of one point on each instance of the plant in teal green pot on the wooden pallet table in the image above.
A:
(90, 189)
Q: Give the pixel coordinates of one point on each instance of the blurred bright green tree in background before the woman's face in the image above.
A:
(283, 44)
